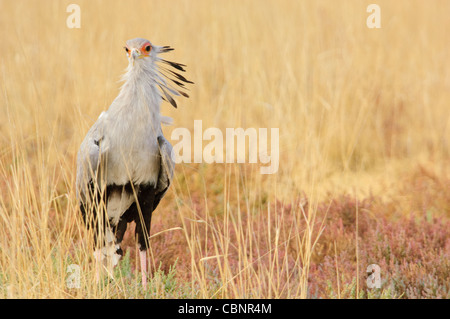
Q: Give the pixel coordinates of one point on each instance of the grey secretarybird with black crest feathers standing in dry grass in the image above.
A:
(124, 164)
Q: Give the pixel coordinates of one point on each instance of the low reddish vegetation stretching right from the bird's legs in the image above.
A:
(408, 237)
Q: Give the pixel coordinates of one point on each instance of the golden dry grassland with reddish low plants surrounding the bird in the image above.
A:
(364, 124)
